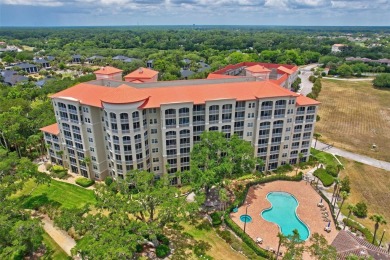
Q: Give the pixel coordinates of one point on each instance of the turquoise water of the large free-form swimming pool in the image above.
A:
(283, 213)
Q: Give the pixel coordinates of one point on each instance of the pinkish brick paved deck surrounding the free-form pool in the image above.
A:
(307, 211)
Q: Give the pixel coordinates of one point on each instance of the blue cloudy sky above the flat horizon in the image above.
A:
(199, 12)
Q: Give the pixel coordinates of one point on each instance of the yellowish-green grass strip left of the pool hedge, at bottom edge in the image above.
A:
(220, 250)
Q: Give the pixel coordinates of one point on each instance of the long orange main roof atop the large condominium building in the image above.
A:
(93, 95)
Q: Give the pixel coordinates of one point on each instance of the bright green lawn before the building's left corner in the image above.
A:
(70, 196)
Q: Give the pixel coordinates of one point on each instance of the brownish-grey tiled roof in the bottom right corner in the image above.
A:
(348, 244)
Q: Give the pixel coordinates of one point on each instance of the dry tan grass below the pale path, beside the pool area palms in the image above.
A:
(372, 186)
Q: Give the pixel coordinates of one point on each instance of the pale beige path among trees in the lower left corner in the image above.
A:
(62, 238)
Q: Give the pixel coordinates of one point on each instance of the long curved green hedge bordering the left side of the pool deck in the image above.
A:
(240, 200)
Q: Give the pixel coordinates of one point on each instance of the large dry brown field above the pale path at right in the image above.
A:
(354, 115)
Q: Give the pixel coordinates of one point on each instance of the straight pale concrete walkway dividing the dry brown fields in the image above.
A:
(352, 156)
